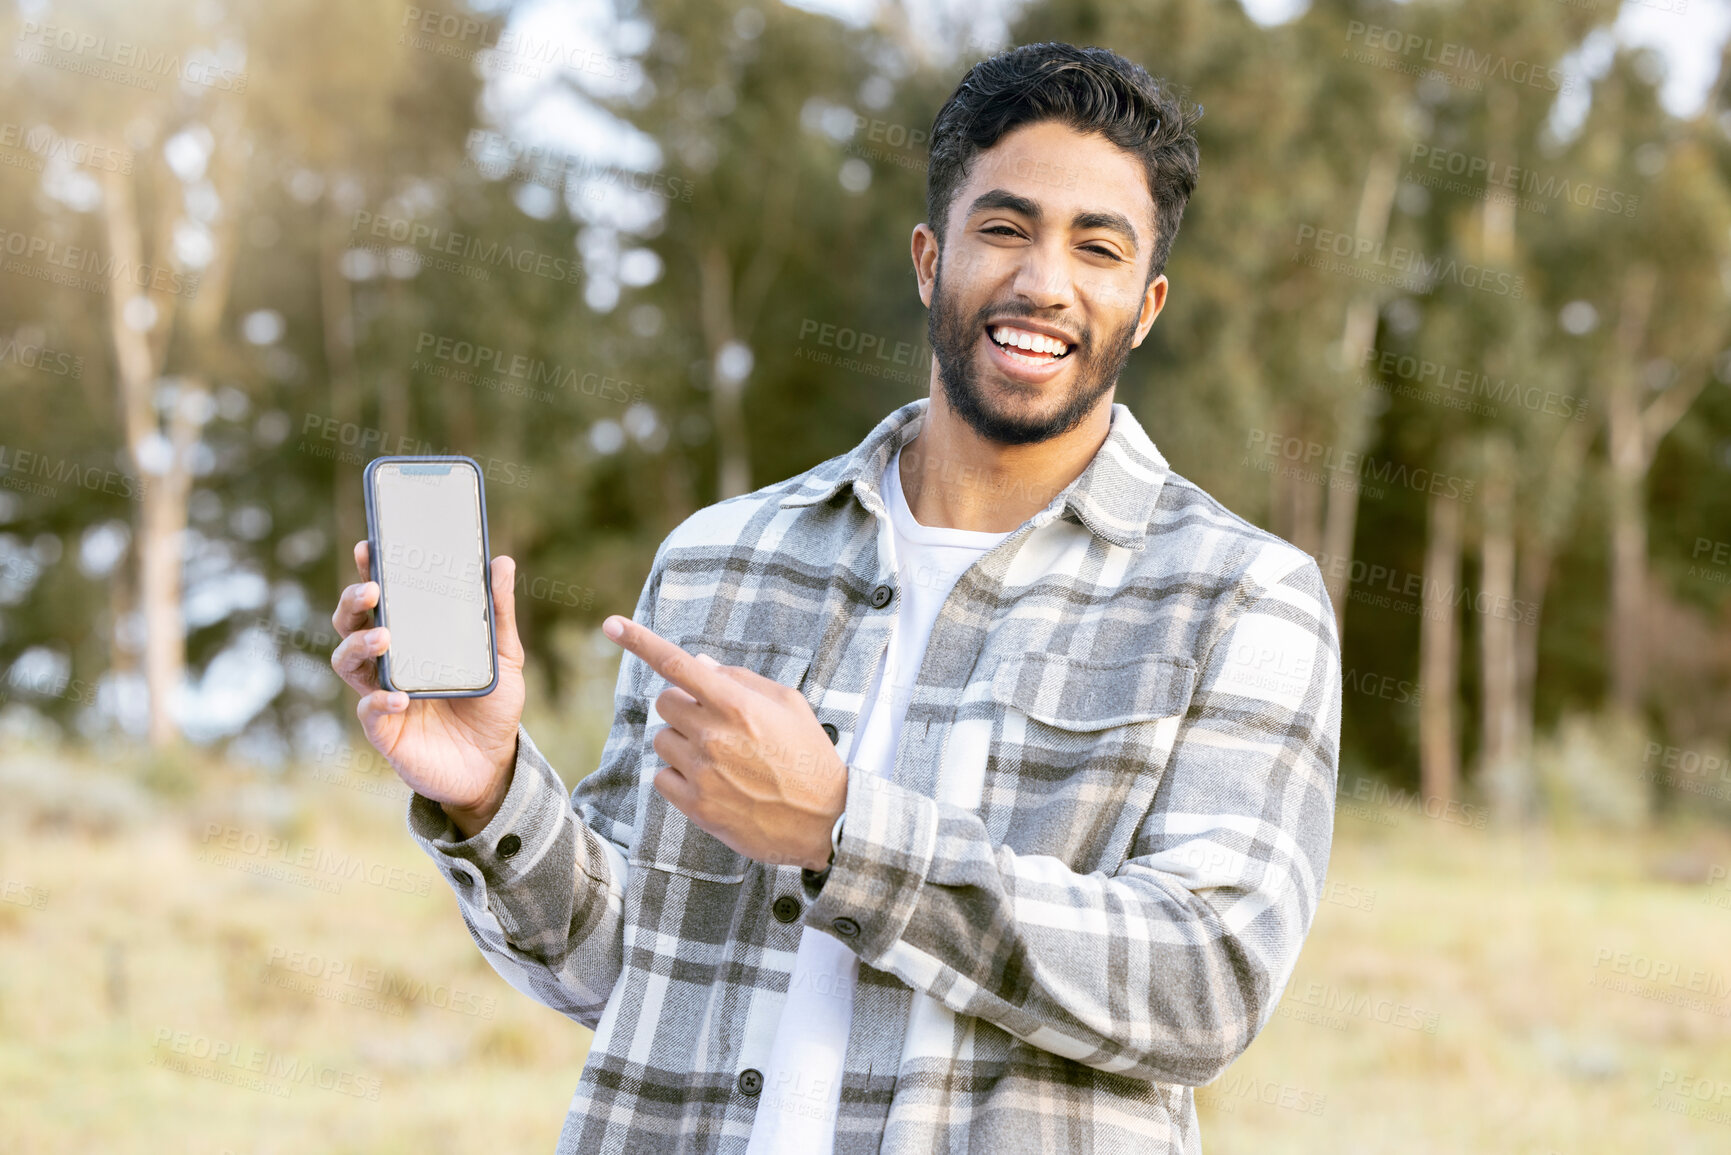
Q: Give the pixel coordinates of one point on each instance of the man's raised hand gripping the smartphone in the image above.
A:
(458, 752)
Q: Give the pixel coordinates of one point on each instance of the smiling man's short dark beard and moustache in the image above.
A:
(955, 342)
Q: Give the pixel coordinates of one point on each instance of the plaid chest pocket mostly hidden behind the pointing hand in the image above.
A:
(667, 841)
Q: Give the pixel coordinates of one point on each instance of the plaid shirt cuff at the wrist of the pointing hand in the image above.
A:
(887, 848)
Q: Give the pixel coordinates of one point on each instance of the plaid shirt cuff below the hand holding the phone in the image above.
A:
(501, 860)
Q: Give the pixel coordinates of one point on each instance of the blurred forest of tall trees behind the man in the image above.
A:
(1450, 311)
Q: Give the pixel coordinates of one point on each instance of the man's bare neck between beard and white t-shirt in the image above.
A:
(955, 479)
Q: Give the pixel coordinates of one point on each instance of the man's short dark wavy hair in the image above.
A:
(1093, 91)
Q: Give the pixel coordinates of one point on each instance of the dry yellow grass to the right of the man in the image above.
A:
(1476, 1005)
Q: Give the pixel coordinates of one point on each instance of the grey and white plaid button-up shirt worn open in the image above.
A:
(1078, 898)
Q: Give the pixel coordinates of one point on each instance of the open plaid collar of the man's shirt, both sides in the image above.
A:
(1114, 498)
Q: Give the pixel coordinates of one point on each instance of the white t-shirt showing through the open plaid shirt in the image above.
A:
(802, 1083)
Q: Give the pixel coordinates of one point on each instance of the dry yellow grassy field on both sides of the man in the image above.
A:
(262, 969)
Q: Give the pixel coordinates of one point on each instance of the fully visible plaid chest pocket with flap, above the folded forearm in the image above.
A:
(1078, 752)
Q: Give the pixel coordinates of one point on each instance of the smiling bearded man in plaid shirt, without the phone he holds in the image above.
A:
(970, 792)
